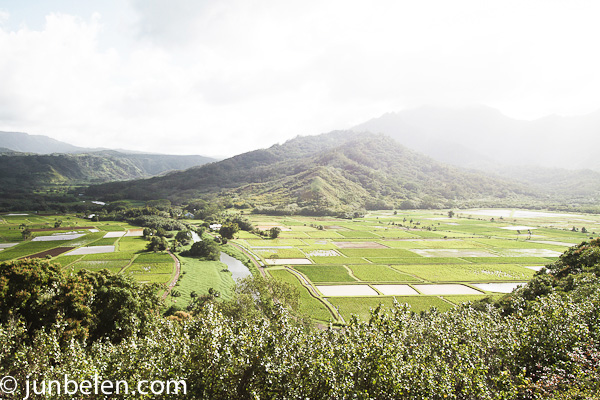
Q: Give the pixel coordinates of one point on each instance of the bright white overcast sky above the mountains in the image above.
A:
(221, 77)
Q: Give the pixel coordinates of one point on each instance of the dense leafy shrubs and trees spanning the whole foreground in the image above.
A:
(541, 342)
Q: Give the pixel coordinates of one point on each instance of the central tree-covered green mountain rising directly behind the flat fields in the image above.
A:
(337, 171)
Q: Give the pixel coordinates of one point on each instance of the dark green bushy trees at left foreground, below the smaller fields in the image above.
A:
(93, 305)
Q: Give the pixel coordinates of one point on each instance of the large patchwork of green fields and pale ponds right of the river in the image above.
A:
(422, 258)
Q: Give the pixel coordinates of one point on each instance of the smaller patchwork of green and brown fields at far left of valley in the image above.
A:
(81, 244)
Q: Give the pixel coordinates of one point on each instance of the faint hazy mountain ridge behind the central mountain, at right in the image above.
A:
(484, 137)
